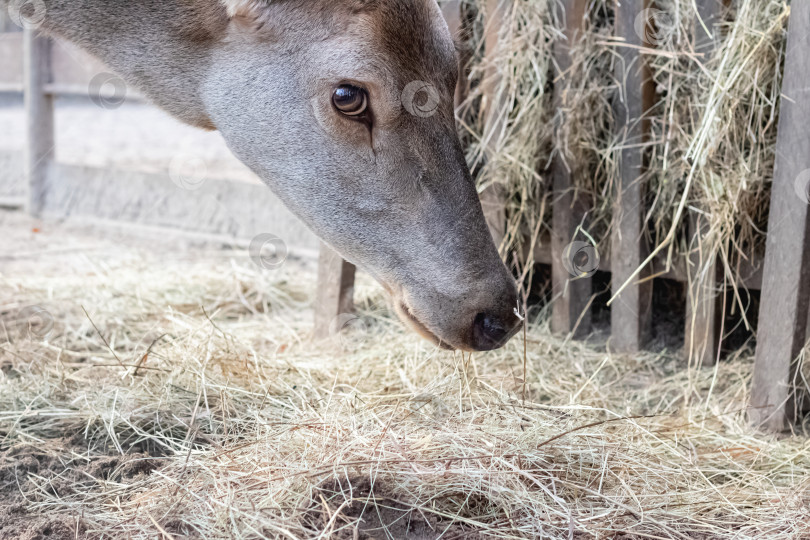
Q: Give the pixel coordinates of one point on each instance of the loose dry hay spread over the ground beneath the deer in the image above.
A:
(182, 398)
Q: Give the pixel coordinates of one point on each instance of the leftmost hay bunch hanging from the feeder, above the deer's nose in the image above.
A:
(509, 133)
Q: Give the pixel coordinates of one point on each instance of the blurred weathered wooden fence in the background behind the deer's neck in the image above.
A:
(219, 208)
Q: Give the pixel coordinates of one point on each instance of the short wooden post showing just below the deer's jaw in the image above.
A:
(335, 294)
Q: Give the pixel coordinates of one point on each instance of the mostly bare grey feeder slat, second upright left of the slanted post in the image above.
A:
(630, 310)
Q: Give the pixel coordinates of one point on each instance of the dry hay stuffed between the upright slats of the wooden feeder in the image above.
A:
(712, 126)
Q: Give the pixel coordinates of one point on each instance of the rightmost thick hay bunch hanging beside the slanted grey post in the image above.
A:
(715, 125)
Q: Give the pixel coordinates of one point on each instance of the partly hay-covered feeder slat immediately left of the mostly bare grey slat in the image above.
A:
(571, 294)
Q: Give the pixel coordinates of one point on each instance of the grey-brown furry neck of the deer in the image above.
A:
(162, 47)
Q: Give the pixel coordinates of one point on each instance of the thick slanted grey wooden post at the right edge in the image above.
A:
(783, 311)
